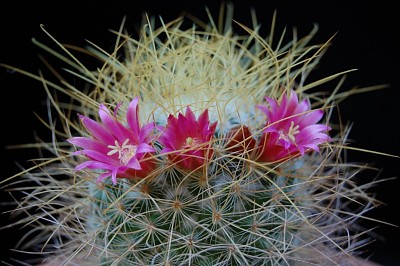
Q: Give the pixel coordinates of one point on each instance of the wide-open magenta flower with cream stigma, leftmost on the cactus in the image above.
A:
(118, 150)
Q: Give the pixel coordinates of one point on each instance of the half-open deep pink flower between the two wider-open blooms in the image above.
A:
(187, 141)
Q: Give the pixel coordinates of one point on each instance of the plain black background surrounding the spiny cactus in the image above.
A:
(366, 39)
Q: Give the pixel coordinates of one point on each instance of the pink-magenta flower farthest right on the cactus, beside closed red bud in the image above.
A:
(291, 129)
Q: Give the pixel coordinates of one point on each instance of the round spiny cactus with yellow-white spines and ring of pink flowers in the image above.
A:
(196, 146)
